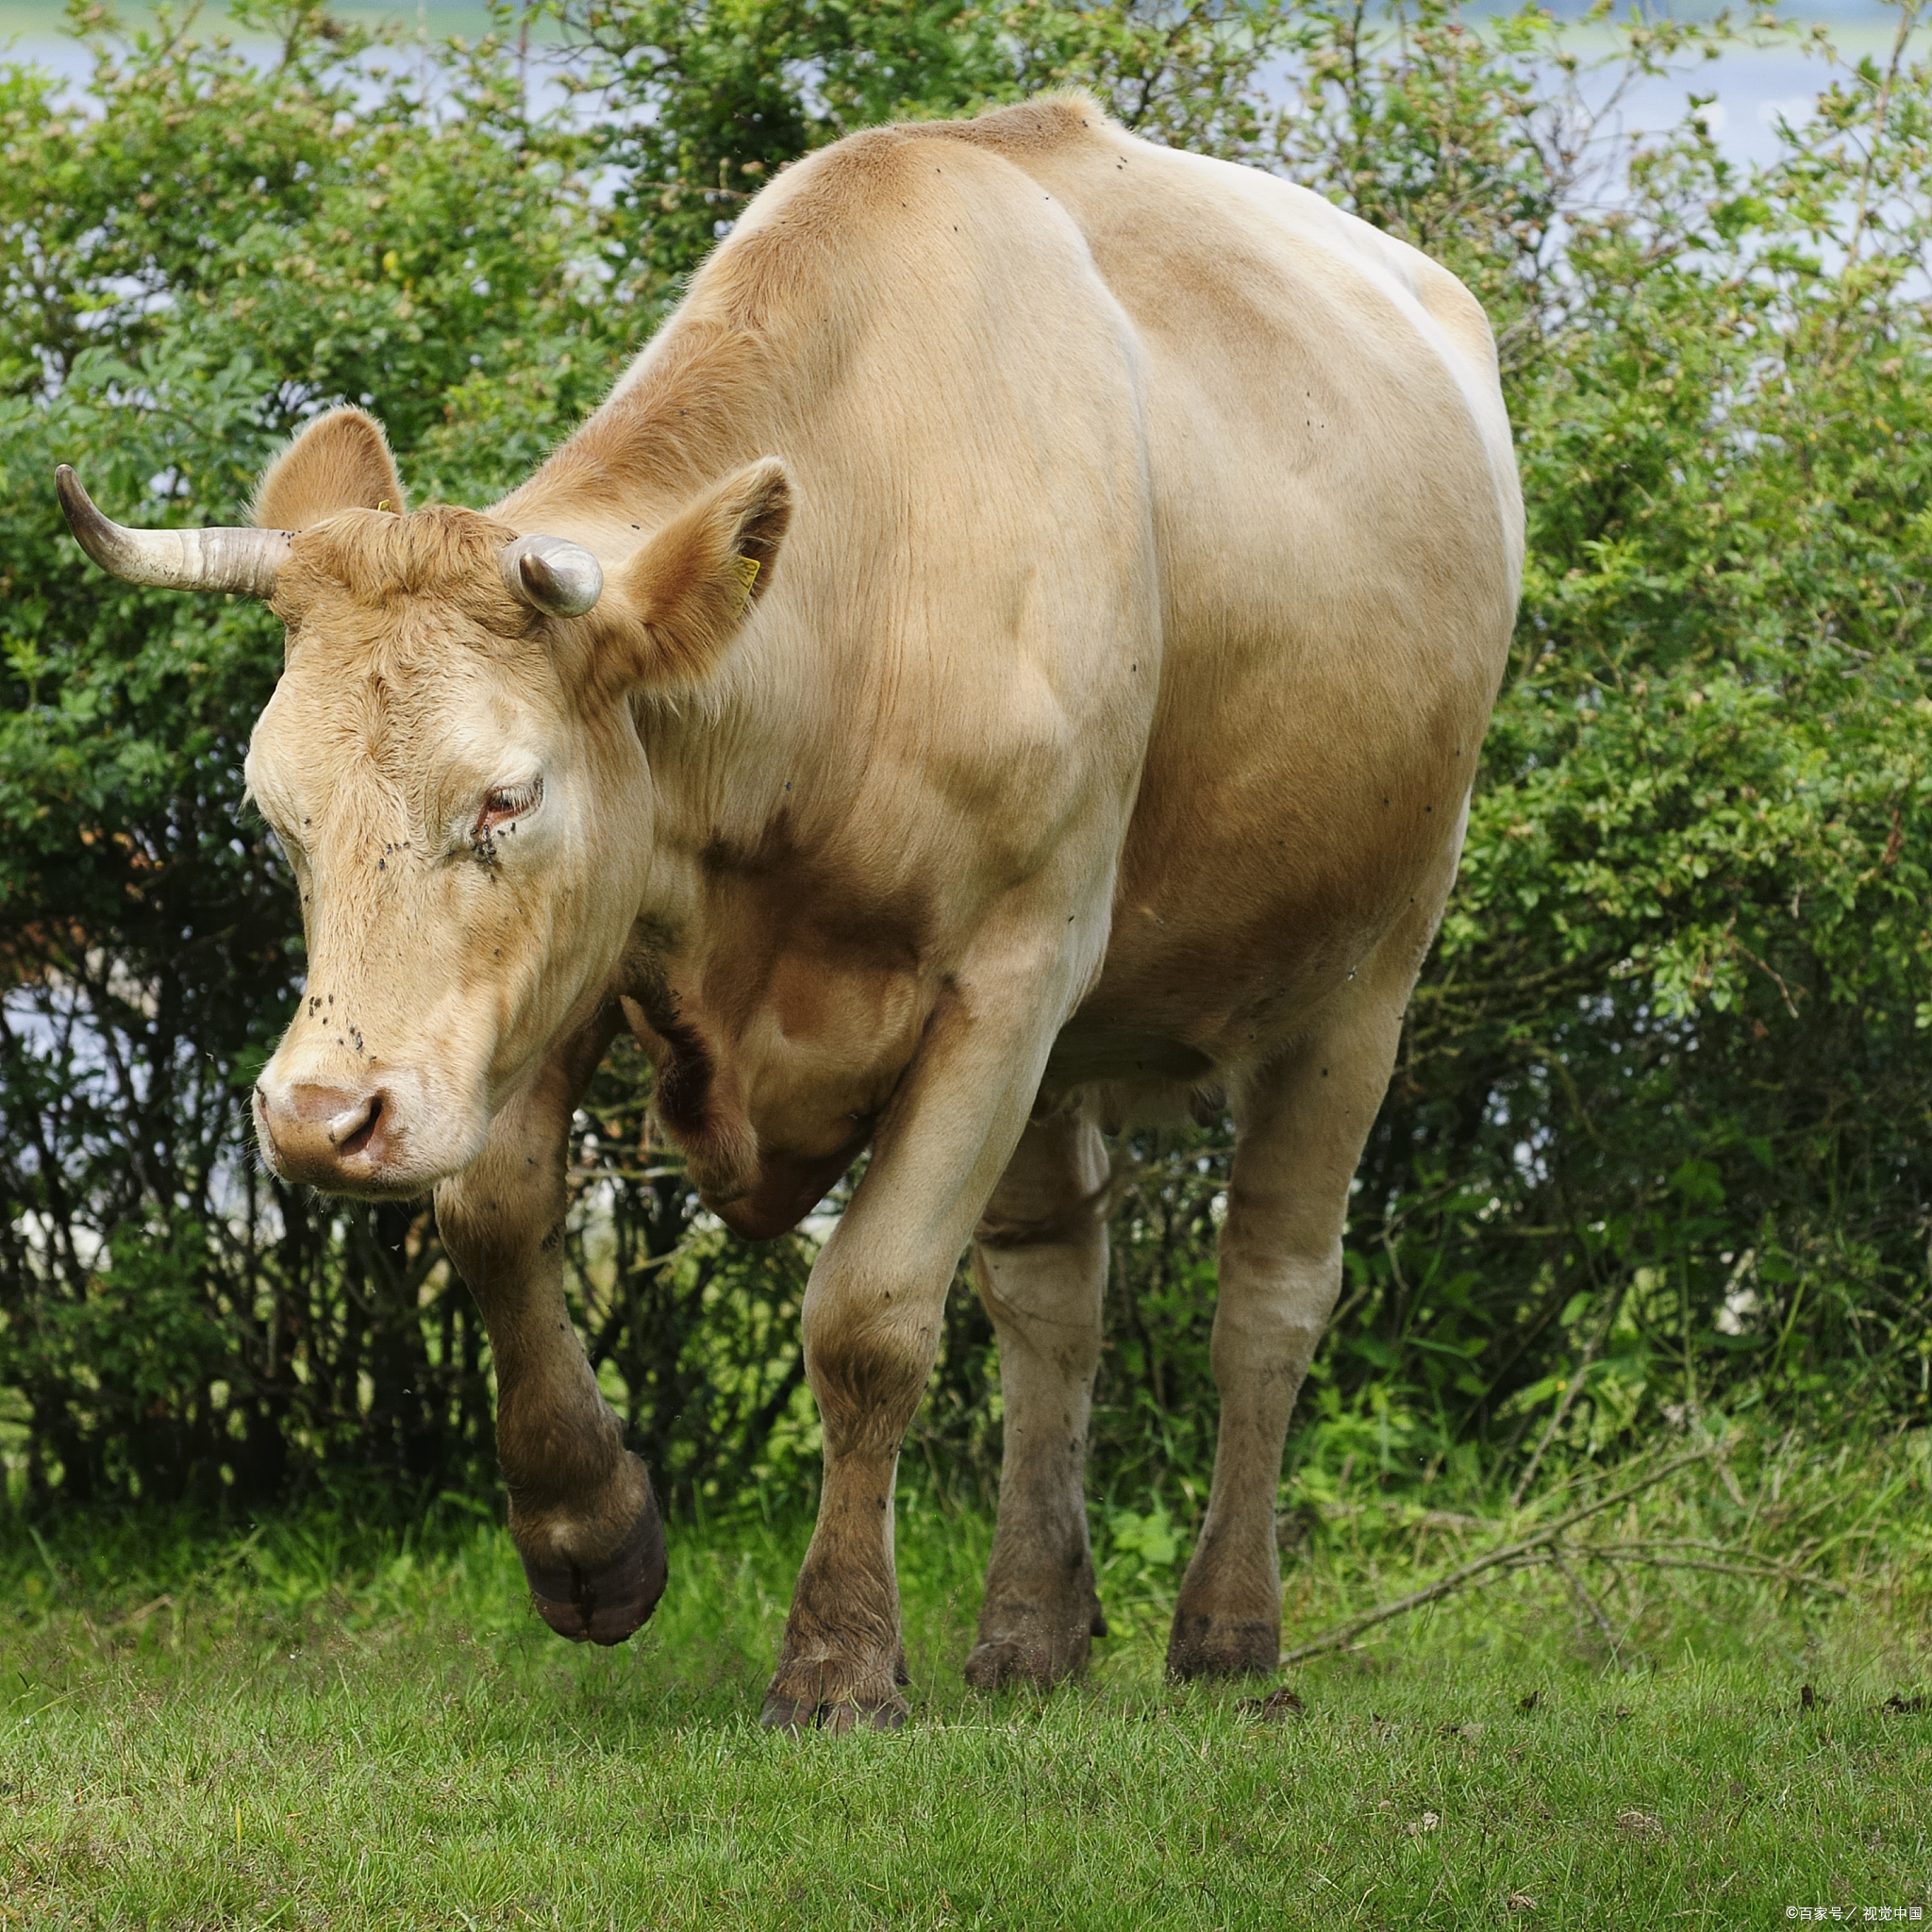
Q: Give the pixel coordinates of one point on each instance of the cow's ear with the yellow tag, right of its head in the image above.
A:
(689, 590)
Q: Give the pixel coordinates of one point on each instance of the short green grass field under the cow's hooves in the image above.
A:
(318, 1726)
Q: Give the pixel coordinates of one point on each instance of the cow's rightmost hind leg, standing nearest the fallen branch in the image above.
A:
(1301, 1125)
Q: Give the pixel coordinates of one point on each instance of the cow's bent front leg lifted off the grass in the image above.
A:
(582, 1514)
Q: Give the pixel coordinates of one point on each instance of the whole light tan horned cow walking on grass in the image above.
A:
(1009, 658)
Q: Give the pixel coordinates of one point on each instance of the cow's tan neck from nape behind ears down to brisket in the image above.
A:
(783, 961)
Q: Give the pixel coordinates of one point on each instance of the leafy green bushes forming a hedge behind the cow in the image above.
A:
(1659, 1135)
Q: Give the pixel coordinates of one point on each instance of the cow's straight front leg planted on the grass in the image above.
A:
(872, 1322)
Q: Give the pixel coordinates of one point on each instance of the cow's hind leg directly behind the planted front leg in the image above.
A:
(1042, 1264)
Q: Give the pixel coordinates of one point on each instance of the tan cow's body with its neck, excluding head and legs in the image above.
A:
(1147, 515)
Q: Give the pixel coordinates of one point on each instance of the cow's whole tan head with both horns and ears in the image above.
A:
(451, 766)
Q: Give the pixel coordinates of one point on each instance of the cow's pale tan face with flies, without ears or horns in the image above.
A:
(465, 820)
